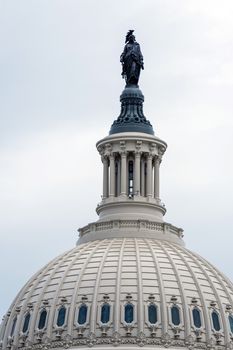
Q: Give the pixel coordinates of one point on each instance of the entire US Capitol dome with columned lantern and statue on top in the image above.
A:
(129, 282)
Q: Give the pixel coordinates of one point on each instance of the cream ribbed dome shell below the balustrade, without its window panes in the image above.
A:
(119, 272)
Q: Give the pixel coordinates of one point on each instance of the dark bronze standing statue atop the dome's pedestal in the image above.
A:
(131, 59)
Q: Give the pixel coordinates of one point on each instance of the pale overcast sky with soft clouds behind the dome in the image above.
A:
(59, 93)
